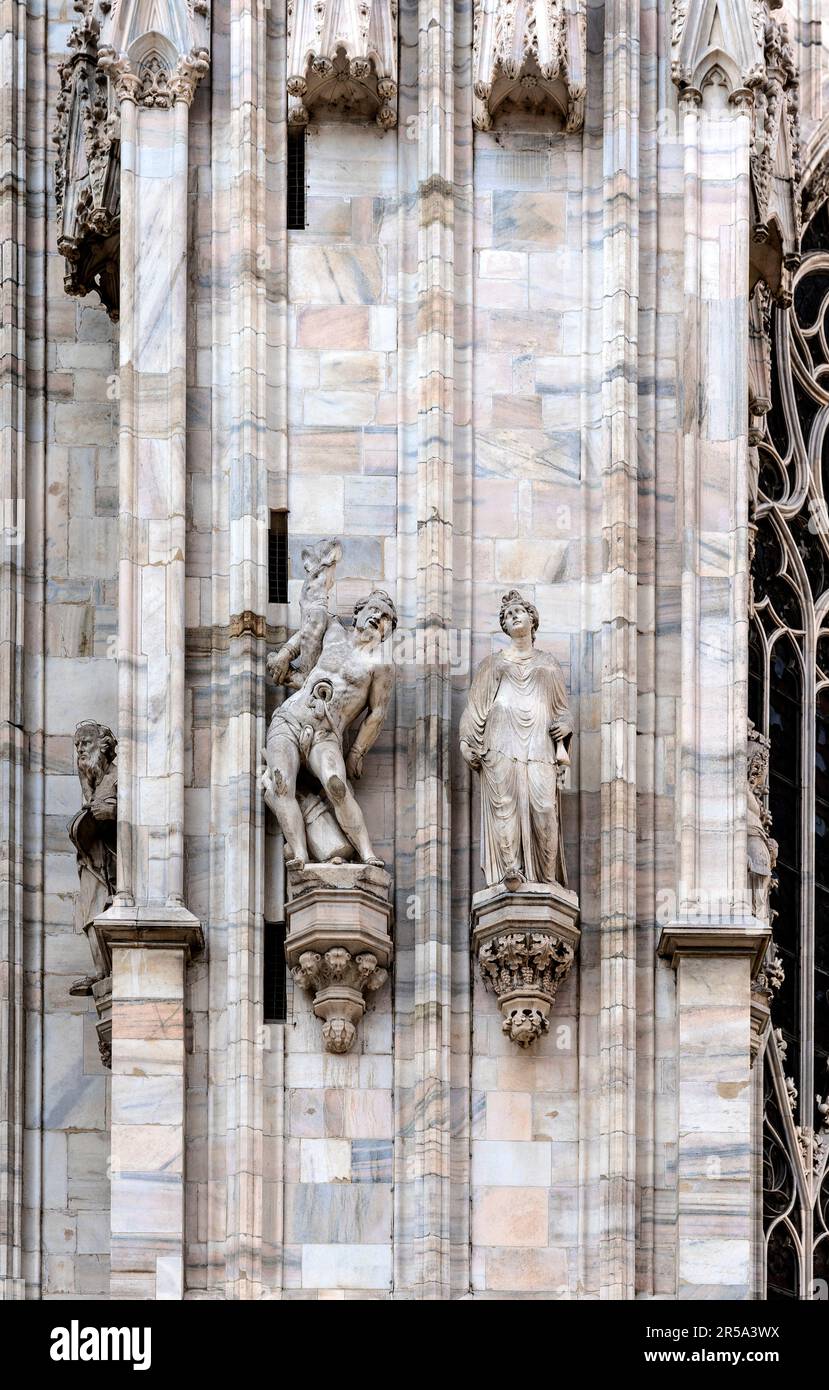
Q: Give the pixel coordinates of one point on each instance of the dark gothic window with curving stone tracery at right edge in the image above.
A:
(789, 701)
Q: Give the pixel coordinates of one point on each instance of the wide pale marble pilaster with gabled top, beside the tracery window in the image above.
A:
(711, 893)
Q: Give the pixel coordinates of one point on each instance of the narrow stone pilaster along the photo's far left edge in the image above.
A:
(13, 468)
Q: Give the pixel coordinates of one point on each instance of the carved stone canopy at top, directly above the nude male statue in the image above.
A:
(343, 58)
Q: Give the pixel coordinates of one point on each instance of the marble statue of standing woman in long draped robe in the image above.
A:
(515, 732)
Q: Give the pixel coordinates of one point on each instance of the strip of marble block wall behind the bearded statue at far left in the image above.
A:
(72, 673)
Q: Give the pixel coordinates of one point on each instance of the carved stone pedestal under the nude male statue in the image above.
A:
(339, 942)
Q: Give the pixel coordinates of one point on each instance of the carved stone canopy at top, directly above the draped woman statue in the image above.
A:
(529, 56)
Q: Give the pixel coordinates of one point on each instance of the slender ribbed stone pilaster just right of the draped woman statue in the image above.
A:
(620, 650)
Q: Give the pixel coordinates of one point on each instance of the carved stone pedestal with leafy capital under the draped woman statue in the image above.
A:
(525, 943)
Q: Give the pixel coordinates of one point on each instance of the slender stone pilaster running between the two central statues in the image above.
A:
(435, 507)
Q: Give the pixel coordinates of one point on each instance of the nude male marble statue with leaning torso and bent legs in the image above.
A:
(309, 729)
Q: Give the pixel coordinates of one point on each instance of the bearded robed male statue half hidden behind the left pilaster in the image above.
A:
(92, 833)
